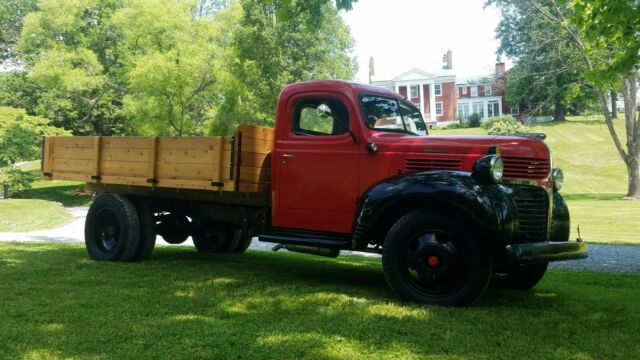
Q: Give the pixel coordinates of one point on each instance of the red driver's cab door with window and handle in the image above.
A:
(315, 161)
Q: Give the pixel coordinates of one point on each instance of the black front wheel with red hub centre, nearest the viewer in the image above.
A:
(428, 258)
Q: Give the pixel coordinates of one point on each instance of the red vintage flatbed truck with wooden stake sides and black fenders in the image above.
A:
(347, 167)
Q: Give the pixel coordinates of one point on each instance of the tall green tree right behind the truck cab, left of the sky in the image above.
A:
(264, 53)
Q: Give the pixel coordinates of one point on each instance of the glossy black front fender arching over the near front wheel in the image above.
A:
(487, 206)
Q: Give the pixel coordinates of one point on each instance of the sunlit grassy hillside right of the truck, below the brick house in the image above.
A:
(595, 178)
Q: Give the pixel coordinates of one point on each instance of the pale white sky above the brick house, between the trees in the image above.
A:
(403, 34)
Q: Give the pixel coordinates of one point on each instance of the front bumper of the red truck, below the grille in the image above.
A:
(540, 252)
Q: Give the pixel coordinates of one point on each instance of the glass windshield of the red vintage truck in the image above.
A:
(389, 114)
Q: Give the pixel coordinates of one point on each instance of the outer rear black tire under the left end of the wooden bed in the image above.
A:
(112, 228)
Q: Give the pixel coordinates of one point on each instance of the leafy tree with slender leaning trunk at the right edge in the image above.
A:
(605, 34)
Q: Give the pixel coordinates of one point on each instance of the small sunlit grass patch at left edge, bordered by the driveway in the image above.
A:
(32, 214)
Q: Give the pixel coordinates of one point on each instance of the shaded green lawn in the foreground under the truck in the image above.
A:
(56, 303)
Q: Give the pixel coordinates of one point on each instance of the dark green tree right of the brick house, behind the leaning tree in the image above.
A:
(548, 76)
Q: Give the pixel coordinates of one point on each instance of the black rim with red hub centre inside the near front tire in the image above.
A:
(436, 263)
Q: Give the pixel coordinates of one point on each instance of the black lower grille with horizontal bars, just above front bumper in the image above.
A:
(532, 204)
